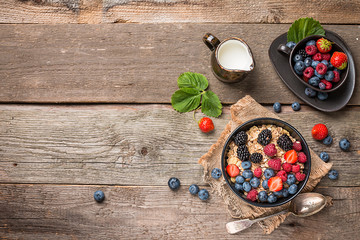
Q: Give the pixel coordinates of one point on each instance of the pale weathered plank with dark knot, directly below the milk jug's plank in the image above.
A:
(137, 144)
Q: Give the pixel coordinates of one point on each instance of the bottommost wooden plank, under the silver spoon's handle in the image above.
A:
(70, 212)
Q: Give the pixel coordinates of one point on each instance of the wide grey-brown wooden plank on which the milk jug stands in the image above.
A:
(133, 63)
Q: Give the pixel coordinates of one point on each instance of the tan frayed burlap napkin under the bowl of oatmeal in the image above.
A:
(246, 109)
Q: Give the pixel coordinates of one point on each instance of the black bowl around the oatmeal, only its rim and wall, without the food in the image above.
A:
(293, 132)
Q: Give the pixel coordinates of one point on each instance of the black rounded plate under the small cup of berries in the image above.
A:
(337, 99)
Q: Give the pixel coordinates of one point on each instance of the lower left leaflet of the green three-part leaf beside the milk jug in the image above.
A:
(186, 99)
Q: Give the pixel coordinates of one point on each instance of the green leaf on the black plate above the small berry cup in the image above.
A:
(304, 27)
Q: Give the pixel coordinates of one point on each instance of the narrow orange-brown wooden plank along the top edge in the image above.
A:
(235, 11)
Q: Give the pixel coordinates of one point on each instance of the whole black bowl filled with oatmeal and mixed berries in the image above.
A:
(266, 162)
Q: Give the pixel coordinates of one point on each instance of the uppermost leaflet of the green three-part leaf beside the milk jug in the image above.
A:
(193, 80)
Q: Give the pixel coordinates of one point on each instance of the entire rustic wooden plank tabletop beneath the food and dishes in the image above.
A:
(86, 107)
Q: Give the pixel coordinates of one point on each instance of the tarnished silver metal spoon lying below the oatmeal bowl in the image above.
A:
(305, 204)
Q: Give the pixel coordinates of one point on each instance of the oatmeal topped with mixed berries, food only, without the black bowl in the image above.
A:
(265, 163)
